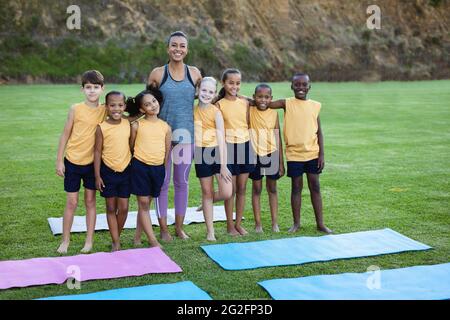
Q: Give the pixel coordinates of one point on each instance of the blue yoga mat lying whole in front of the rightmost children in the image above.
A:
(300, 250)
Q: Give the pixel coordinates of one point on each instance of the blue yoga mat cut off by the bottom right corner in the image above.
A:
(413, 283)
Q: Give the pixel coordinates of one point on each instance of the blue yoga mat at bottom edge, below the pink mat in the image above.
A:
(185, 290)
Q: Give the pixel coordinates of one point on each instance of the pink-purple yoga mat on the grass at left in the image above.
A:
(102, 265)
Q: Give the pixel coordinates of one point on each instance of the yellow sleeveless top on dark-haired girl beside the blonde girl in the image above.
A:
(235, 120)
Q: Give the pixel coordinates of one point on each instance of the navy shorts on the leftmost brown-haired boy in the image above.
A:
(75, 173)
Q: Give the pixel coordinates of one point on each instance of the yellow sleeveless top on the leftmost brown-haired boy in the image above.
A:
(80, 147)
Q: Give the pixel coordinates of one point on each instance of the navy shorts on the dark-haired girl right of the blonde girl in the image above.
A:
(240, 158)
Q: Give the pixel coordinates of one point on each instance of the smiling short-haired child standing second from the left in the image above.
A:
(112, 158)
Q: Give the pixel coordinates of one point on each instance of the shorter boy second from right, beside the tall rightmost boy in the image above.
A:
(266, 141)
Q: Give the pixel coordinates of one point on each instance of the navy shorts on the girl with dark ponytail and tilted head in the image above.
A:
(146, 180)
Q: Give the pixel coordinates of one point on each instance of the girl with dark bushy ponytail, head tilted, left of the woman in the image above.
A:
(150, 143)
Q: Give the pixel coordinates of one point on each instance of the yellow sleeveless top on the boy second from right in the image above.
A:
(262, 130)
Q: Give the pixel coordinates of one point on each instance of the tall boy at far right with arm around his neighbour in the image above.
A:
(304, 147)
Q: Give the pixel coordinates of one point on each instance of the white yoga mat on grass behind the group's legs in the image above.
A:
(192, 216)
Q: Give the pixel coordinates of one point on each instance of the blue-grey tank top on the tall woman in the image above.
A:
(178, 105)
